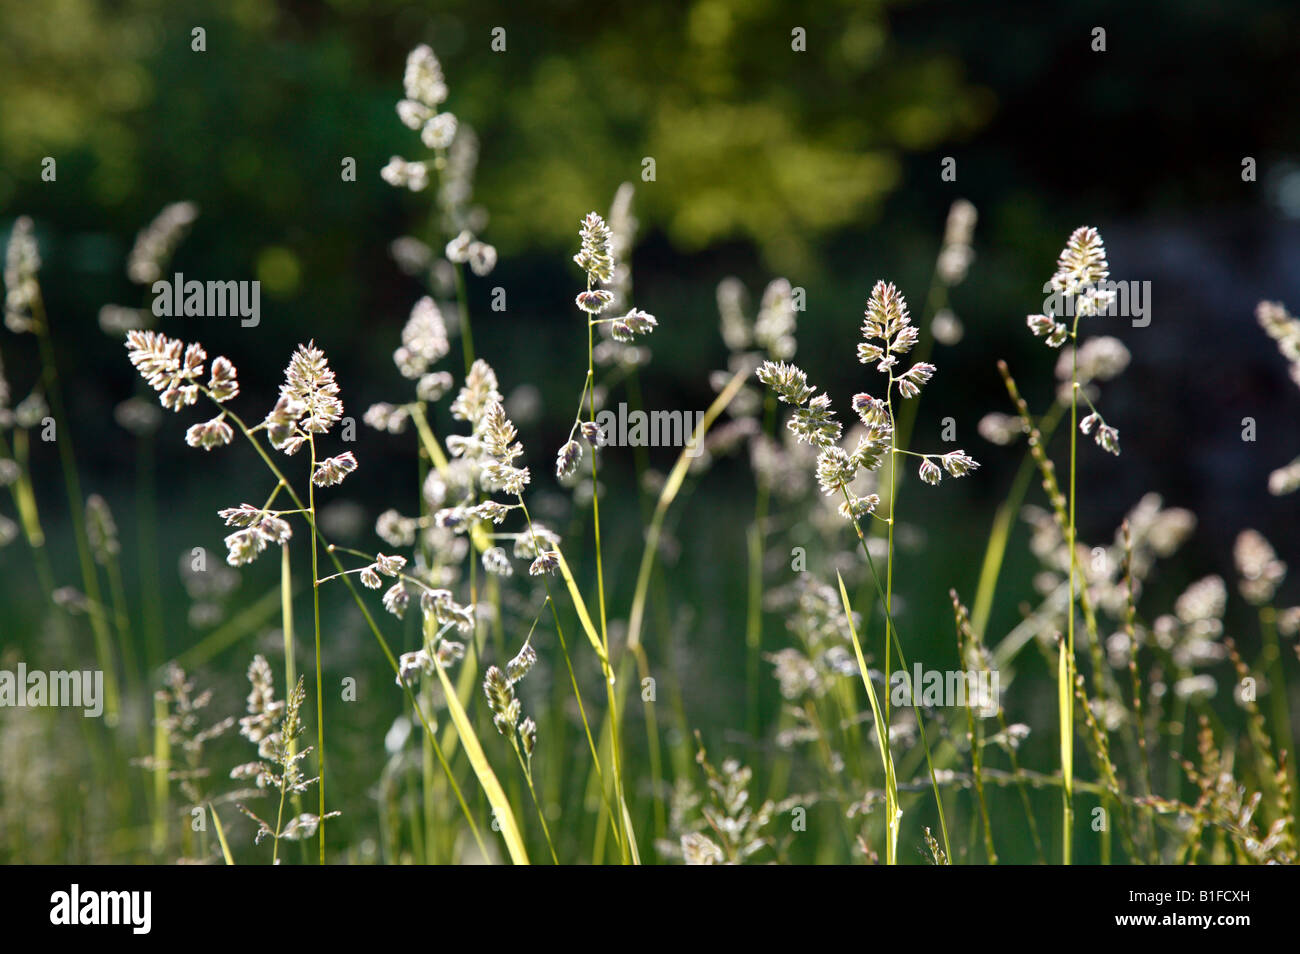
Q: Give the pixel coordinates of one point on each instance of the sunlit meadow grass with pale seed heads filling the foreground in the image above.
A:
(519, 614)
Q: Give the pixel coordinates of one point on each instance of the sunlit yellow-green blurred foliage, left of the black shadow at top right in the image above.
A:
(752, 138)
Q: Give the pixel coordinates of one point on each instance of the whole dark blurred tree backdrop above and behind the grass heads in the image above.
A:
(822, 166)
